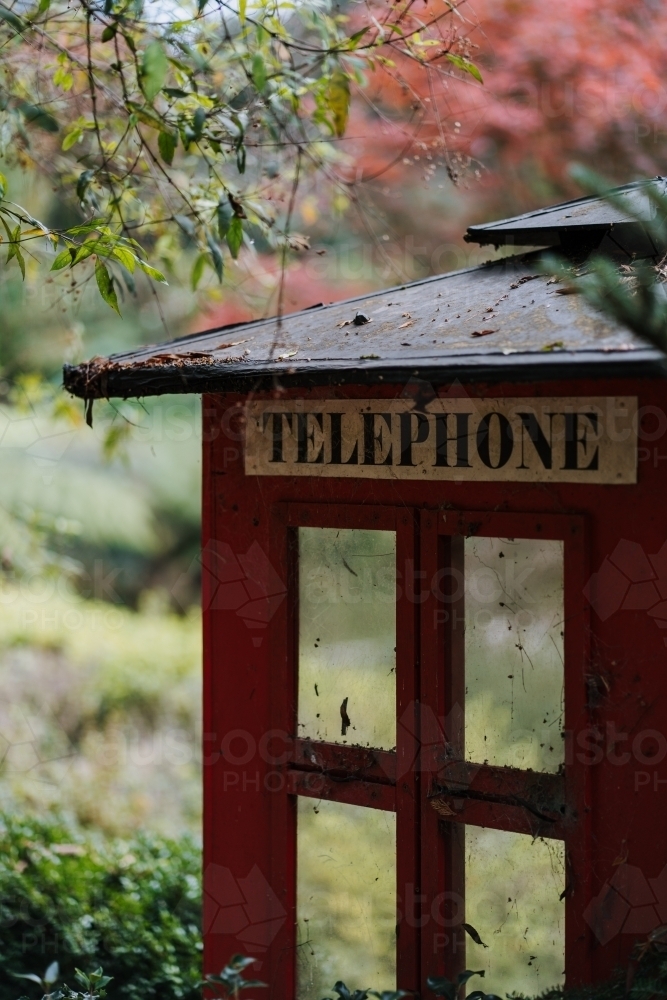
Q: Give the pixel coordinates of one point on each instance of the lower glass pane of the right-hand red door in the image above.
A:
(513, 888)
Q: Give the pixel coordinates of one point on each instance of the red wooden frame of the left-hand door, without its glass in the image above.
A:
(373, 784)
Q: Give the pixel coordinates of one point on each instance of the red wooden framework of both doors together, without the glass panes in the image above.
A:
(429, 670)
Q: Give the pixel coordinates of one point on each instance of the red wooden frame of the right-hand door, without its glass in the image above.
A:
(442, 534)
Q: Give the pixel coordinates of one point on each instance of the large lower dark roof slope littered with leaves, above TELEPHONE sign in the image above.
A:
(500, 320)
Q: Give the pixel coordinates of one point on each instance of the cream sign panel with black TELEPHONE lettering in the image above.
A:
(566, 440)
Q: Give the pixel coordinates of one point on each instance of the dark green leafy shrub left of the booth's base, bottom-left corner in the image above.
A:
(131, 906)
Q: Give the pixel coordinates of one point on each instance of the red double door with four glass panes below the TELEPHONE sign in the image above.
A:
(429, 672)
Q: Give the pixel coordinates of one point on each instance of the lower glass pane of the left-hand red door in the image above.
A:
(346, 897)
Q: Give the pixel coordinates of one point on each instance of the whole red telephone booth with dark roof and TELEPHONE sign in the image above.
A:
(434, 565)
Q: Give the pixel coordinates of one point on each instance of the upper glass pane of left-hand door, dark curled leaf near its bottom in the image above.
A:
(347, 636)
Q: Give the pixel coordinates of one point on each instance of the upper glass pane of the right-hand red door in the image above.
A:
(514, 652)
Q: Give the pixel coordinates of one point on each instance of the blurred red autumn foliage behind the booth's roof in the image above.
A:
(578, 81)
